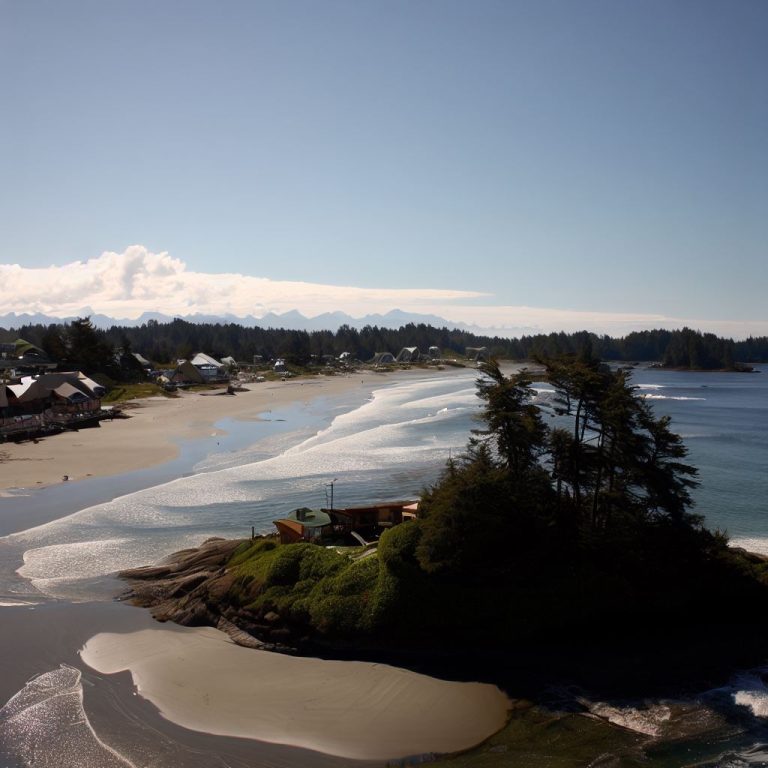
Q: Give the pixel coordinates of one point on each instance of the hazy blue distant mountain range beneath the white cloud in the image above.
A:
(292, 320)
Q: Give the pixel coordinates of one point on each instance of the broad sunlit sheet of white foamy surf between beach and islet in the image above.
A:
(394, 434)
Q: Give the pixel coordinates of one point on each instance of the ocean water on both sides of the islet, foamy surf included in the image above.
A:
(389, 446)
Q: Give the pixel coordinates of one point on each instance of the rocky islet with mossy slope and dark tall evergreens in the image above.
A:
(561, 544)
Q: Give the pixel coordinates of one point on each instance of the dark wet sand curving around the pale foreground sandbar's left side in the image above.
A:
(45, 636)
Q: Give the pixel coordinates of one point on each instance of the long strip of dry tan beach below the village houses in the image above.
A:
(149, 437)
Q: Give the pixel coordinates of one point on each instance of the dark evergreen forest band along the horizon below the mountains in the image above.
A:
(178, 339)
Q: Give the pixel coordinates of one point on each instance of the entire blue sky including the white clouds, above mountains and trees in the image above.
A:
(525, 165)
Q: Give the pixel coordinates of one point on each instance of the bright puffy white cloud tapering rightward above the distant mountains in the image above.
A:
(126, 284)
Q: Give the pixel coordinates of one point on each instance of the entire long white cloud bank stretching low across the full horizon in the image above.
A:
(124, 285)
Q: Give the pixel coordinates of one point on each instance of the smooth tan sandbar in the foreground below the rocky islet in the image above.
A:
(200, 680)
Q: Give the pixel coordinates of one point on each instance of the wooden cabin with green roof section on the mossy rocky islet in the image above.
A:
(363, 525)
